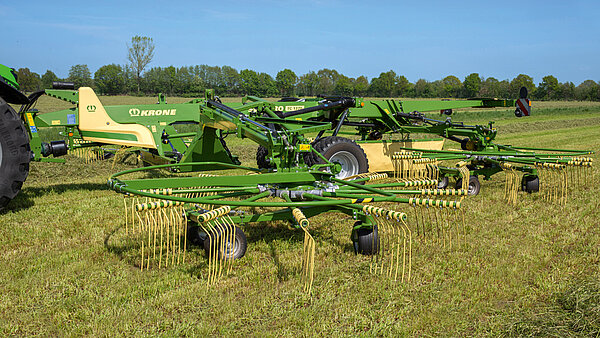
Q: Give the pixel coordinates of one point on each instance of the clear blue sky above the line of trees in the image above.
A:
(418, 39)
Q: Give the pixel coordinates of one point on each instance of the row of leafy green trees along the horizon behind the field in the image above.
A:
(191, 81)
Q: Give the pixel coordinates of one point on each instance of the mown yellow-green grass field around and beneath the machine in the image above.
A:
(529, 269)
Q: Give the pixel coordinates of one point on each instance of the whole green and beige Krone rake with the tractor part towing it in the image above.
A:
(326, 154)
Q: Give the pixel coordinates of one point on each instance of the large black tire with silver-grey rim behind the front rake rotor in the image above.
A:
(344, 151)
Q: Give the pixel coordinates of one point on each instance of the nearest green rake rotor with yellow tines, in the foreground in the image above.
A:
(213, 209)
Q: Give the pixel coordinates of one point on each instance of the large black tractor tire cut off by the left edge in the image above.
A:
(15, 154)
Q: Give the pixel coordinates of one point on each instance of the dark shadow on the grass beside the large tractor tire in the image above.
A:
(25, 198)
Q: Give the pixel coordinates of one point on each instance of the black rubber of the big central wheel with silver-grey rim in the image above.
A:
(331, 145)
